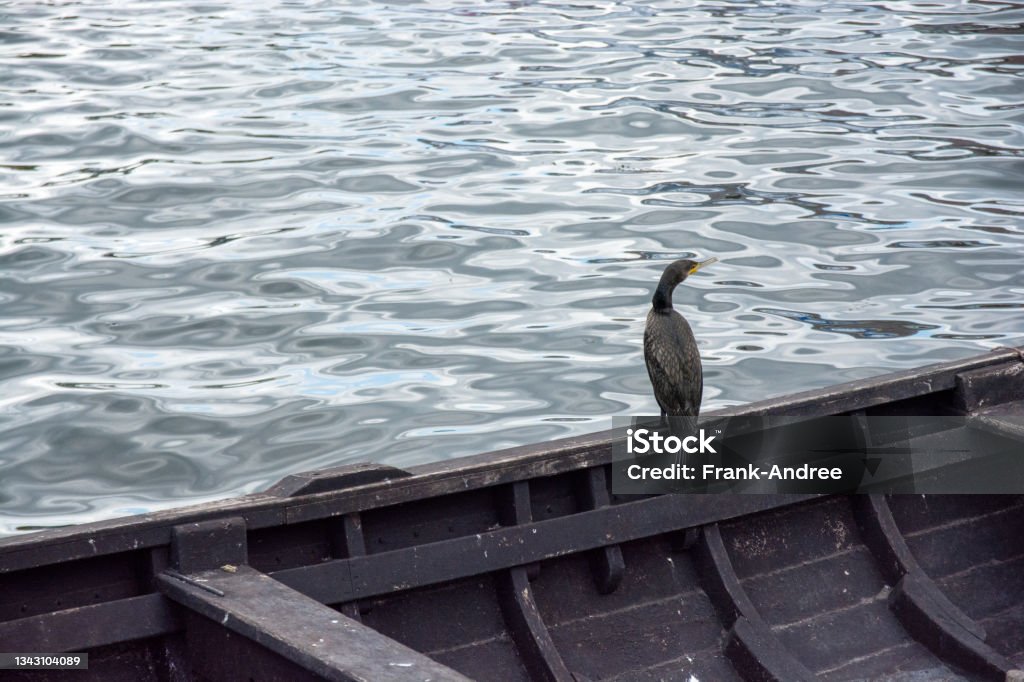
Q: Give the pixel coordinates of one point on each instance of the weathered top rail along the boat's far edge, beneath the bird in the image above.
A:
(264, 510)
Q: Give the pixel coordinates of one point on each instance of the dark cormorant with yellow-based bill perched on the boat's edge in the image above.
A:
(671, 353)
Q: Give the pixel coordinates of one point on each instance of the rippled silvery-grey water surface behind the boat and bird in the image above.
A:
(244, 240)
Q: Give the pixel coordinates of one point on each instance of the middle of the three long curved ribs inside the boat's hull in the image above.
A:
(752, 648)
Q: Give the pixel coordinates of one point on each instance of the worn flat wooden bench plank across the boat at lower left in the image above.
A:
(314, 637)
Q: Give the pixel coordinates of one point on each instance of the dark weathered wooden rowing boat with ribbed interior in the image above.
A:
(522, 566)
